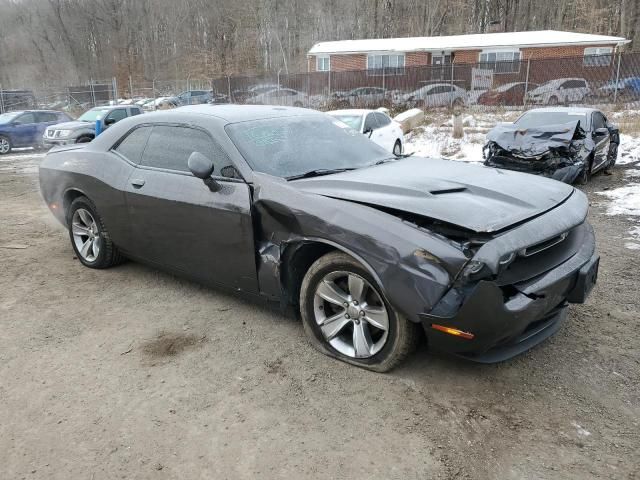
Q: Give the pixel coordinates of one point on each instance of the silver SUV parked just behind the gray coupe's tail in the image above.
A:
(83, 129)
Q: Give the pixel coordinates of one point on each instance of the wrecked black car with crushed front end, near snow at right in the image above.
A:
(567, 144)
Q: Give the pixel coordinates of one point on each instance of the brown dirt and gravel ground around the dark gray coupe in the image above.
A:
(133, 373)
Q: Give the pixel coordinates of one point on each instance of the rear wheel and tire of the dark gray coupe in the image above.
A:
(89, 237)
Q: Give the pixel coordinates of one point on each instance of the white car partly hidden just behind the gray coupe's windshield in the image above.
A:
(379, 126)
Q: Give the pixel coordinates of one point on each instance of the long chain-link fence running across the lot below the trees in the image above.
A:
(611, 81)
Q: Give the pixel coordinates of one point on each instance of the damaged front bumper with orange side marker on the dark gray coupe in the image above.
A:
(505, 321)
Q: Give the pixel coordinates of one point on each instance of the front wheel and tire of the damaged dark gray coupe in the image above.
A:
(346, 317)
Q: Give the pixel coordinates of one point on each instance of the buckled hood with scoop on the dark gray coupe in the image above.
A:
(473, 197)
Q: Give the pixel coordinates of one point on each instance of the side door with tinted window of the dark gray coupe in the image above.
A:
(178, 222)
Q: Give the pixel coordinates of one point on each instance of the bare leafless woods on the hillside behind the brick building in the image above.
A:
(57, 42)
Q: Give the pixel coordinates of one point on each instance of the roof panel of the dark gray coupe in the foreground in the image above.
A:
(243, 113)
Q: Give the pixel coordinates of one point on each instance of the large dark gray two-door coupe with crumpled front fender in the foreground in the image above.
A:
(288, 205)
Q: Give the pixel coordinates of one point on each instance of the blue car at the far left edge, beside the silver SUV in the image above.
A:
(25, 128)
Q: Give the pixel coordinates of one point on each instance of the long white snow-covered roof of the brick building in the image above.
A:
(544, 38)
